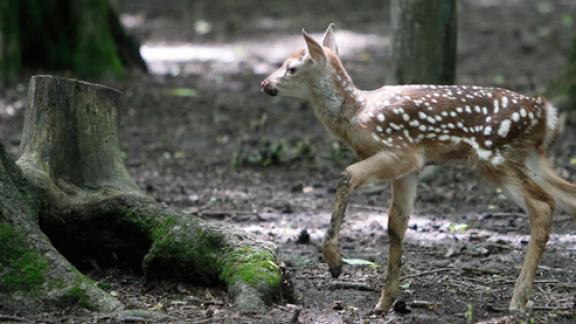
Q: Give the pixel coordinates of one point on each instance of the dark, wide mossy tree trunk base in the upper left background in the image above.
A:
(84, 36)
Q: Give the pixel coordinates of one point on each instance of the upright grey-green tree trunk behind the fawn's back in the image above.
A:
(424, 41)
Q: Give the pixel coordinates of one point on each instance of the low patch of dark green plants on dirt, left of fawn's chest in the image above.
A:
(267, 153)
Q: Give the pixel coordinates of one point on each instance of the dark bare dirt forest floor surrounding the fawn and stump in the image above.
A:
(199, 136)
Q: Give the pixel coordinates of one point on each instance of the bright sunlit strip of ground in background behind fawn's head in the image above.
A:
(258, 56)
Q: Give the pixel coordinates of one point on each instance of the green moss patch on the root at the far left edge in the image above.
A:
(21, 269)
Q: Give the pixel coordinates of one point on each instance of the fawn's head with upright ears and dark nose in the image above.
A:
(293, 78)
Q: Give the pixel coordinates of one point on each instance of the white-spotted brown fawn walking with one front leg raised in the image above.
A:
(397, 130)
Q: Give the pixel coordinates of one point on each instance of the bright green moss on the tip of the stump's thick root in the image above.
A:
(255, 267)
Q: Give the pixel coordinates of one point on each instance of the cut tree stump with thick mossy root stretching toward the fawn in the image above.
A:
(94, 210)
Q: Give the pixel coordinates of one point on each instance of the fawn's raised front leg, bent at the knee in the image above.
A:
(382, 166)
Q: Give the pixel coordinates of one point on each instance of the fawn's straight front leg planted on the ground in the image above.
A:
(402, 203)
